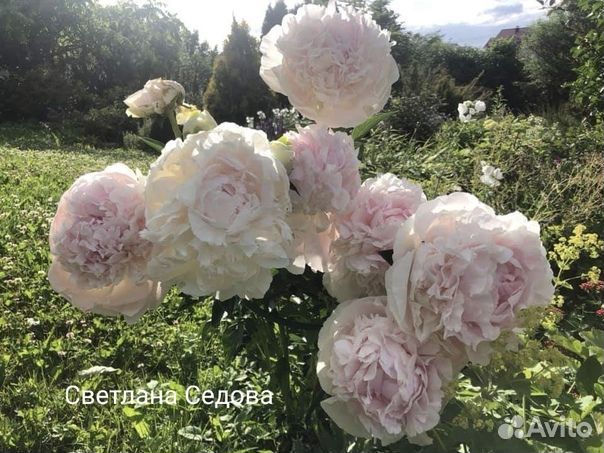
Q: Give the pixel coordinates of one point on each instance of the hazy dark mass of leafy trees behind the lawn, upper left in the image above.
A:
(76, 60)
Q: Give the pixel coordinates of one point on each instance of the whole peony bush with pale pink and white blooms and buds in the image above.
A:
(405, 292)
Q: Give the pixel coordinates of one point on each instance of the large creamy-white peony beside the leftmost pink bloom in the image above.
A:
(216, 205)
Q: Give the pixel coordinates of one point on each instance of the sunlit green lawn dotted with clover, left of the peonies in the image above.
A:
(45, 342)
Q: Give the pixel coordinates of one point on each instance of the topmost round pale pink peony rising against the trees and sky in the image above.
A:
(334, 66)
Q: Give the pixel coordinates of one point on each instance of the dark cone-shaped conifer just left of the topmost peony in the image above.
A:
(235, 89)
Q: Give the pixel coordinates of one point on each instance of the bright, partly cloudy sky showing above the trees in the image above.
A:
(470, 22)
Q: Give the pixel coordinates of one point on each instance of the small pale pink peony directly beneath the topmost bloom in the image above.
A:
(325, 170)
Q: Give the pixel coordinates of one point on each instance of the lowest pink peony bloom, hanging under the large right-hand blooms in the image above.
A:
(382, 382)
